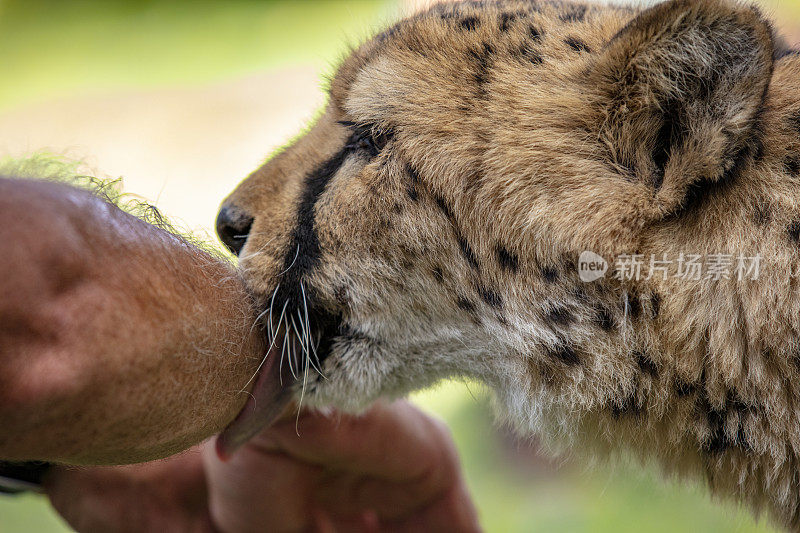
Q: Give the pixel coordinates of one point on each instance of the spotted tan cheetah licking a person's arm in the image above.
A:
(476, 160)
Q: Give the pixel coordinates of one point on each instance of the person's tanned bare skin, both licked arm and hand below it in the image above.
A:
(120, 343)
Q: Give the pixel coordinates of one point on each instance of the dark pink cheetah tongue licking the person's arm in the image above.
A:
(268, 400)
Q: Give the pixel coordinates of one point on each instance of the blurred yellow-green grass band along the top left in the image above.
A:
(53, 48)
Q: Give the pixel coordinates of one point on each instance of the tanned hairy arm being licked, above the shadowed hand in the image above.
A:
(119, 342)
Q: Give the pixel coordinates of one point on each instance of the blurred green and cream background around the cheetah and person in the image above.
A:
(182, 99)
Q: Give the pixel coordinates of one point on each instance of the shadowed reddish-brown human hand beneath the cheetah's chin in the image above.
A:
(392, 469)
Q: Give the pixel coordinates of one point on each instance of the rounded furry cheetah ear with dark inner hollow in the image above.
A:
(681, 89)
